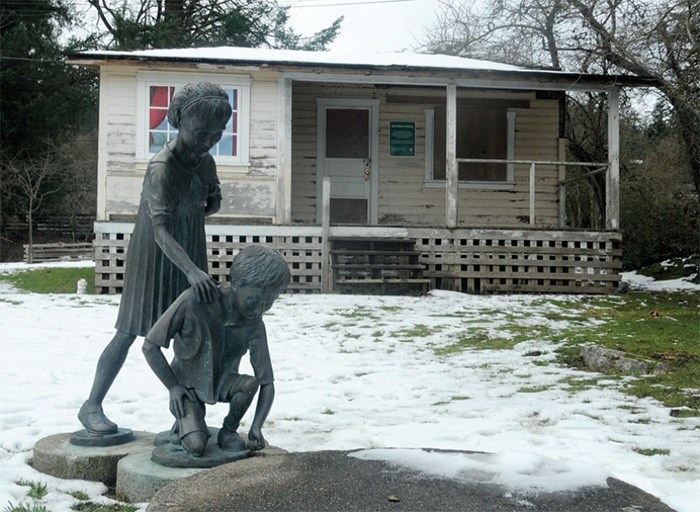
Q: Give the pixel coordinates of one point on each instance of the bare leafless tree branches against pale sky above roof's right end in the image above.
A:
(652, 38)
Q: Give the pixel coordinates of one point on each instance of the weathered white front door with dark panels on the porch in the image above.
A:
(347, 142)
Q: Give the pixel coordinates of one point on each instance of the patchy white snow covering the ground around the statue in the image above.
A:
(362, 372)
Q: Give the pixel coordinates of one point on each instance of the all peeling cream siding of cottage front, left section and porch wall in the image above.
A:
(405, 197)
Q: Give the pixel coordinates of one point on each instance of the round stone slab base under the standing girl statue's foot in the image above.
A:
(56, 456)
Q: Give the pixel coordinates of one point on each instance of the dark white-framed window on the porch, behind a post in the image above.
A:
(486, 133)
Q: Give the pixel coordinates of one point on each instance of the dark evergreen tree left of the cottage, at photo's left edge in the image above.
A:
(44, 103)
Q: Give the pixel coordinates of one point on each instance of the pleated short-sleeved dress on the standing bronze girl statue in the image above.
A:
(176, 196)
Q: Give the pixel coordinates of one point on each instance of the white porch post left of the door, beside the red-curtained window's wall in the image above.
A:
(283, 199)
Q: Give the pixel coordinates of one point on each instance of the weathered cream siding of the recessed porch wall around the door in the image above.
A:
(404, 196)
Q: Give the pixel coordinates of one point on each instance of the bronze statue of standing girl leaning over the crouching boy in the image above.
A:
(167, 251)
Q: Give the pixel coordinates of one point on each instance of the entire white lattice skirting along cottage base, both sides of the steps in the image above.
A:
(467, 260)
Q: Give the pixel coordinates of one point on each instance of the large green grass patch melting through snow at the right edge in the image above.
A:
(662, 327)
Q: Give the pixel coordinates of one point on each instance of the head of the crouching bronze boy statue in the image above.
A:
(258, 276)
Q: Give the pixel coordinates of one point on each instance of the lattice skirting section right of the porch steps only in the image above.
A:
(532, 261)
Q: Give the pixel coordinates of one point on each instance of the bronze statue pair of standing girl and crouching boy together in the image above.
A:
(168, 294)
